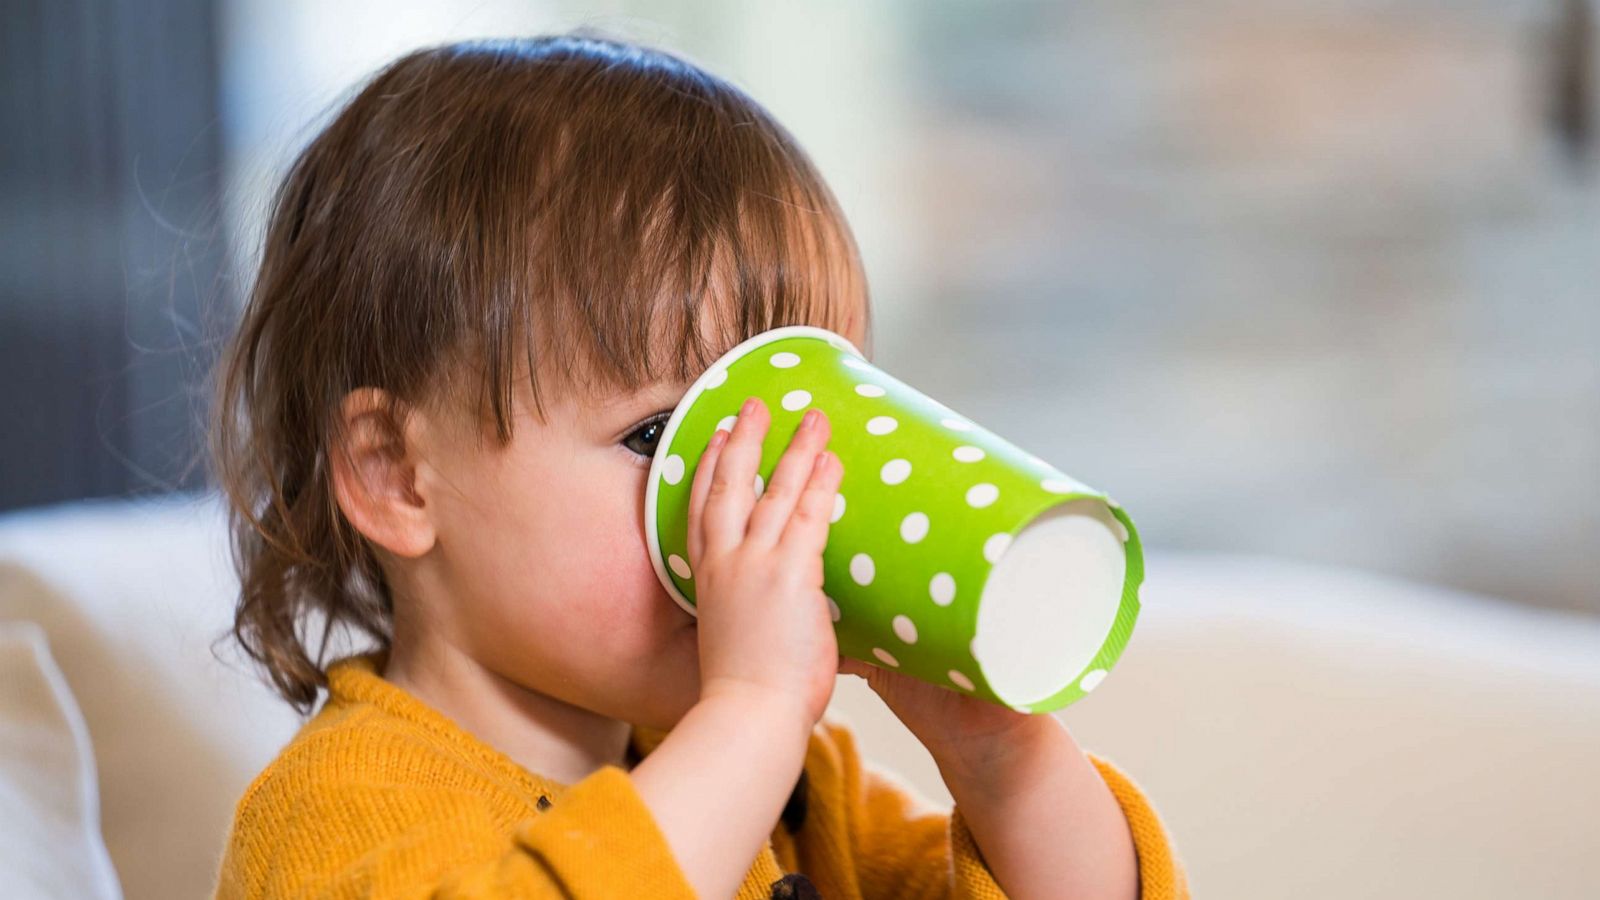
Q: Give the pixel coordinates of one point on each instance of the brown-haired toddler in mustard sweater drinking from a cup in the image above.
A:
(486, 286)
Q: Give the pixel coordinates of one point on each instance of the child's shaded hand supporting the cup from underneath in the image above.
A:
(958, 729)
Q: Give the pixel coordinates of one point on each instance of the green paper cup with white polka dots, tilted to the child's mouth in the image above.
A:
(953, 556)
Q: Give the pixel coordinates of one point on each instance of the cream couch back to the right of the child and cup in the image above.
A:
(1319, 731)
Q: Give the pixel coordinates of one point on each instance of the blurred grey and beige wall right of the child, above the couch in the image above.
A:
(1306, 279)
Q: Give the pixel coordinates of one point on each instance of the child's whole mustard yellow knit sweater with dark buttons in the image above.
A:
(385, 797)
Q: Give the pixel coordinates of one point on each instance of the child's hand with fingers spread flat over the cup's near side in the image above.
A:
(764, 622)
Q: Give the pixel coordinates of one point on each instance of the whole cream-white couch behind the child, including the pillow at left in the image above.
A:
(1305, 731)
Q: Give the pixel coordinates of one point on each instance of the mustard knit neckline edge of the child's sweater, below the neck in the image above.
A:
(356, 680)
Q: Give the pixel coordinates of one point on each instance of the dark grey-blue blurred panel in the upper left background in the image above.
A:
(110, 177)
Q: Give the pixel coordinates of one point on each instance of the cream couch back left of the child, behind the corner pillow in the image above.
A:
(132, 597)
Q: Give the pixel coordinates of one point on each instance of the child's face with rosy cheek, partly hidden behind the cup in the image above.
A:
(542, 569)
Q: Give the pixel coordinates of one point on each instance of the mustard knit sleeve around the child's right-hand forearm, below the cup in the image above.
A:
(902, 850)
